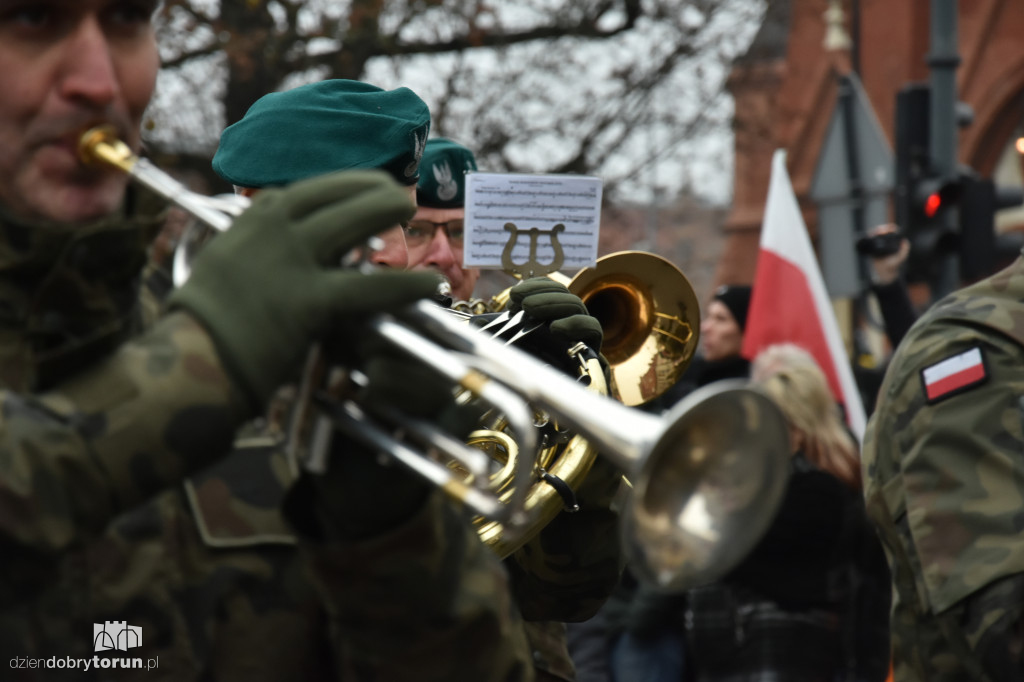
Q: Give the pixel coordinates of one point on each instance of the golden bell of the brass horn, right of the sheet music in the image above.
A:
(651, 318)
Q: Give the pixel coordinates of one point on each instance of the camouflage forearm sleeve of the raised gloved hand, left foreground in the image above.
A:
(110, 439)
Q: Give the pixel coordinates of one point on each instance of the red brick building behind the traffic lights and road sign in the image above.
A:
(786, 87)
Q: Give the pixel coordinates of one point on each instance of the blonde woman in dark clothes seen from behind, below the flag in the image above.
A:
(794, 609)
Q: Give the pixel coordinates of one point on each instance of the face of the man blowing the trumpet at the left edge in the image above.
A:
(67, 66)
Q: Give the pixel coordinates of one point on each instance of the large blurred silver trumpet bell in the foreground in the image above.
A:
(708, 491)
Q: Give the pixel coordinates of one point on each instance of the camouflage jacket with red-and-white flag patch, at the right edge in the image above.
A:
(945, 481)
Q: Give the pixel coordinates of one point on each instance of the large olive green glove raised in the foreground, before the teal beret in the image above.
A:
(271, 285)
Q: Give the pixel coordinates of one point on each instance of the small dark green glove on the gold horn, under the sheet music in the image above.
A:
(546, 301)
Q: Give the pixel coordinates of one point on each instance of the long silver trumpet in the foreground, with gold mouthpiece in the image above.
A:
(708, 477)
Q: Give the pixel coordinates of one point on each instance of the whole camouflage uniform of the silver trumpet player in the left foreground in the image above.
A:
(209, 570)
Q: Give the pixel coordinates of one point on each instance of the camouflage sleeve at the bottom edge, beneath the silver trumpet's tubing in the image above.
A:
(423, 602)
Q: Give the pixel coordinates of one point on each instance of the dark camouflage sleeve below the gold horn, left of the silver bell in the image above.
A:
(569, 570)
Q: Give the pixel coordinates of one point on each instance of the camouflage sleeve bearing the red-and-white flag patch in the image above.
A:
(962, 460)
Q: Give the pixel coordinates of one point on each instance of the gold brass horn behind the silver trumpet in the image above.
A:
(651, 318)
